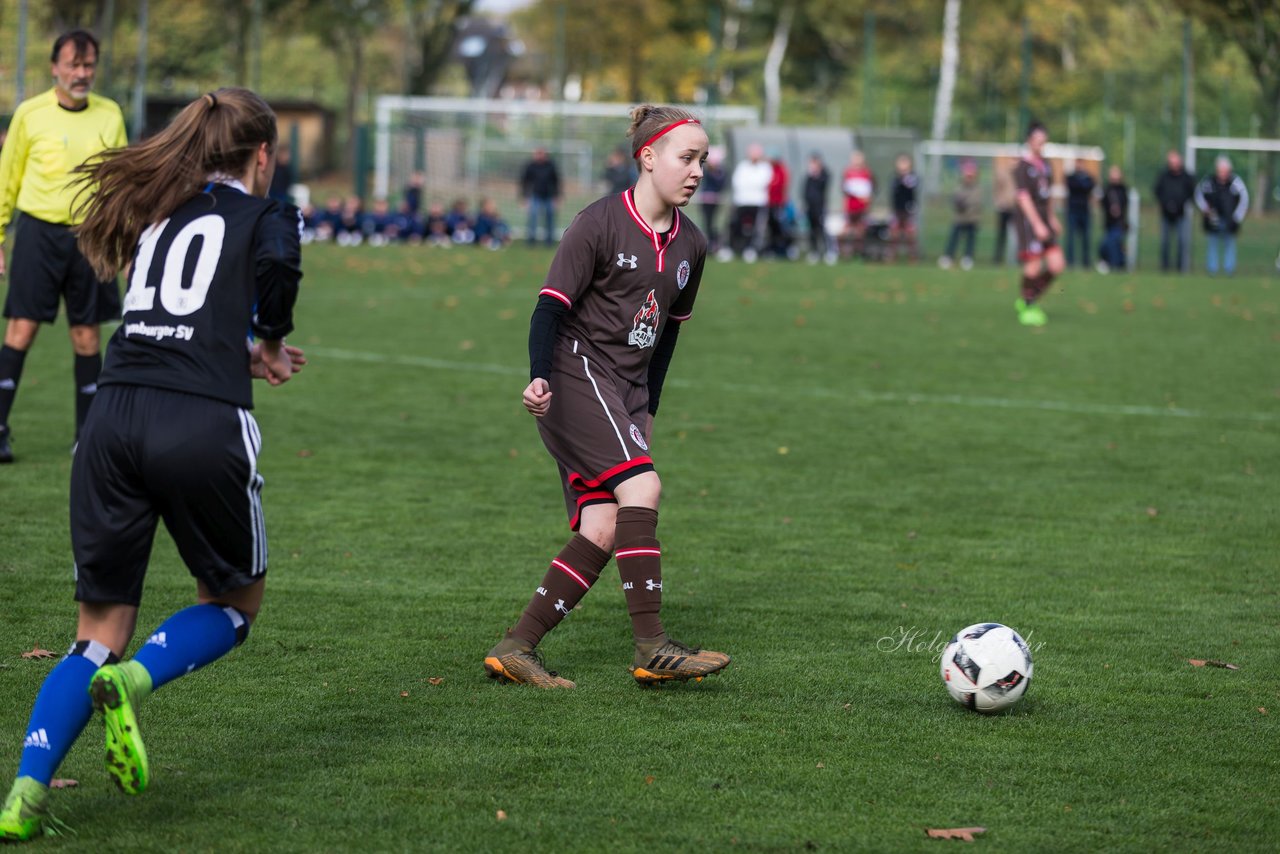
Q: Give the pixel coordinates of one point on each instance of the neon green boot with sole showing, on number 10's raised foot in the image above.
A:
(116, 689)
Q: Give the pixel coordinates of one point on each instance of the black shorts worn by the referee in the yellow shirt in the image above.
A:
(47, 264)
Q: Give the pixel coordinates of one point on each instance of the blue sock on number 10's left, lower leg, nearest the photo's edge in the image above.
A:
(62, 710)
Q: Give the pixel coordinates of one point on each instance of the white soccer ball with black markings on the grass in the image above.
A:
(988, 668)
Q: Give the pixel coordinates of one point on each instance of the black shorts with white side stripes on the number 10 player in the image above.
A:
(149, 454)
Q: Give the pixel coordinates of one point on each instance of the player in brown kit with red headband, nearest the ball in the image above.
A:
(601, 340)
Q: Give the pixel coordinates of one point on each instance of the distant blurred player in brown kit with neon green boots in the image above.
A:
(1037, 229)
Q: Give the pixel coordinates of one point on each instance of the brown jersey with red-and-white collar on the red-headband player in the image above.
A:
(623, 282)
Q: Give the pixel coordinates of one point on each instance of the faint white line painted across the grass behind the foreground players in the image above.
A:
(857, 396)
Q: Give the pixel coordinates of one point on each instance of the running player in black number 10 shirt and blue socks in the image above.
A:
(171, 435)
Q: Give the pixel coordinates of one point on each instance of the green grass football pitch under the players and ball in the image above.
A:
(858, 462)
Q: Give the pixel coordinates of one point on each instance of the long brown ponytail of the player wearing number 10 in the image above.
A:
(126, 190)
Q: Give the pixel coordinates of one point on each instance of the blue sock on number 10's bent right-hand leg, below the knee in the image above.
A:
(190, 640)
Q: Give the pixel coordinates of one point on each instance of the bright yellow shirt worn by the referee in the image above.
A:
(45, 143)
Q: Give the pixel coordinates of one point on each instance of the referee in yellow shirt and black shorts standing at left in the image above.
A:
(49, 136)
